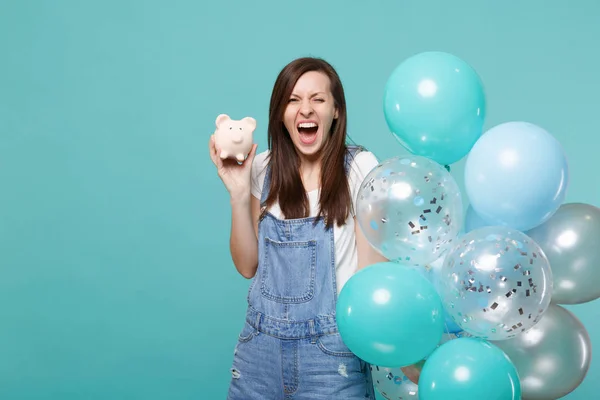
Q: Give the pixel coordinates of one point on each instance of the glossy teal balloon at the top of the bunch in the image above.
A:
(434, 104)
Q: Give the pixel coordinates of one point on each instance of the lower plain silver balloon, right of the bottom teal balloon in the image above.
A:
(553, 357)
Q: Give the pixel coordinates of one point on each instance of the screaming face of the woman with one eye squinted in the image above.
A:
(310, 113)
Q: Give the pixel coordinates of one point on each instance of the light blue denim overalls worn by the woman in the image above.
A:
(290, 347)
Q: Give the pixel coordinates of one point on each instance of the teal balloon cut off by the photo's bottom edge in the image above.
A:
(469, 368)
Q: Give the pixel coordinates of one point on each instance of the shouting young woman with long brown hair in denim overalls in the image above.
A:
(294, 232)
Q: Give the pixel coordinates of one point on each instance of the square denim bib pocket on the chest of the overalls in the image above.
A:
(289, 271)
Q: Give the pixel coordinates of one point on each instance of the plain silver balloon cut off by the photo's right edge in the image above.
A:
(570, 240)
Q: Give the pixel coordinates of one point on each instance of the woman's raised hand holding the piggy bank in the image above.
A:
(235, 176)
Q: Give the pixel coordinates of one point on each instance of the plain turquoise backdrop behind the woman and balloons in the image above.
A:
(115, 275)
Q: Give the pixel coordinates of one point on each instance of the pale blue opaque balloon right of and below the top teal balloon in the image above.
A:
(516, 175)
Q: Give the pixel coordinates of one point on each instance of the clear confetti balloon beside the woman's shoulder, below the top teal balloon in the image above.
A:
(410, 209)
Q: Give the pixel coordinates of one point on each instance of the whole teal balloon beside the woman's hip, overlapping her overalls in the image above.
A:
(390, 315)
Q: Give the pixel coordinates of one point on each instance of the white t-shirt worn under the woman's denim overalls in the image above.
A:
(346, 261)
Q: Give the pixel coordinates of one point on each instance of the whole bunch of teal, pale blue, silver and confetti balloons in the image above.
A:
(468, 305)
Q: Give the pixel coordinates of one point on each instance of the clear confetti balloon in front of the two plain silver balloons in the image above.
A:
(496, 283)
